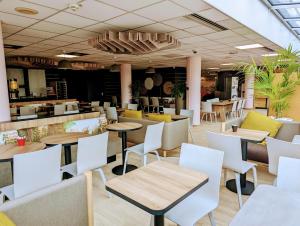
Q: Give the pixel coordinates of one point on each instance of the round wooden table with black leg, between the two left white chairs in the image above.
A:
(66, 140)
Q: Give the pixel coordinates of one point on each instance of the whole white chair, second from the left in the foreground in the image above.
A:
(91, 155)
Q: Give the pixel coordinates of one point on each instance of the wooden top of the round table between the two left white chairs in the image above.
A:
(64, 138)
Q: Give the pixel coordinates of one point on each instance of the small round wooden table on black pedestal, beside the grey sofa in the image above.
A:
(122, 128)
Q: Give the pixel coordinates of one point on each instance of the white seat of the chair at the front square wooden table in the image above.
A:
(191, 209)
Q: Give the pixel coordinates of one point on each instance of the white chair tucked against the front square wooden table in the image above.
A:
(206, 199)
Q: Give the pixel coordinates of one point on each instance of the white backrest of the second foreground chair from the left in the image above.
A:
(92, 152)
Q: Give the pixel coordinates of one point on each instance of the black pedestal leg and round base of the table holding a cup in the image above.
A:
(247, 187)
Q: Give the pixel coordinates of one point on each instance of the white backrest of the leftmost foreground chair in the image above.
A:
(36, 170)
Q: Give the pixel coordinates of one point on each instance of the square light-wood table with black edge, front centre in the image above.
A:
(150, 187)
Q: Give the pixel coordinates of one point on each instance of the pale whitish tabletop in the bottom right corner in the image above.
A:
(269, 206)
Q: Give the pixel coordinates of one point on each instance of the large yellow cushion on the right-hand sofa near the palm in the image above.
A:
(257, 121)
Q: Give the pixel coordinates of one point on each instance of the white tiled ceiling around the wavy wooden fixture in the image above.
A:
(56, 28)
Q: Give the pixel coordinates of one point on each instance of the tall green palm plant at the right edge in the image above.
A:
(276, 78)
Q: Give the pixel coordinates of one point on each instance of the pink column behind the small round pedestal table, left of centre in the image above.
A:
(125, 83)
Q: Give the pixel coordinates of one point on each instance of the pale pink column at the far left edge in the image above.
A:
(4, 99)
